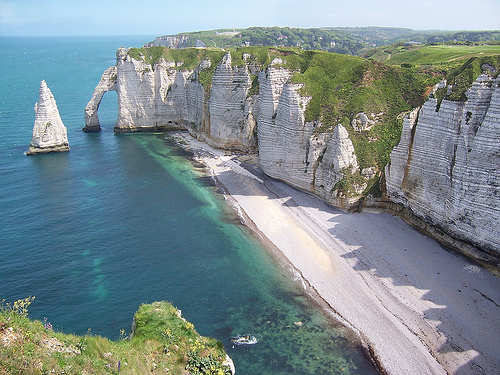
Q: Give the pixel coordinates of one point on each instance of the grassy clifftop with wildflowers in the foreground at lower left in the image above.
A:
(162, 342)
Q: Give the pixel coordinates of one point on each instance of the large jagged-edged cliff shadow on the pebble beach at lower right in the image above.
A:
(440, 289)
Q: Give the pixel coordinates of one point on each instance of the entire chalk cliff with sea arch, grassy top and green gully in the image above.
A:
(327, 124)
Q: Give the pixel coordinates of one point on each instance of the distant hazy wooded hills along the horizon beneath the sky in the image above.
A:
(345, 40)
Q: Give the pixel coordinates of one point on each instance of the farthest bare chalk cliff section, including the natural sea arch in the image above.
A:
(162, 97)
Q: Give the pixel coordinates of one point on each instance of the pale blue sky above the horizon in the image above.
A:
(157, 17)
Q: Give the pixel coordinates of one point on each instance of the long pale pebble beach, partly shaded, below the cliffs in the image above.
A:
(418, 308)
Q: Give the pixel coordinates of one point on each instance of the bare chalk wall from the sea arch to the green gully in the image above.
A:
(161, 97)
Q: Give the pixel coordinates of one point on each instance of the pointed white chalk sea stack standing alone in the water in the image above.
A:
(49, 132)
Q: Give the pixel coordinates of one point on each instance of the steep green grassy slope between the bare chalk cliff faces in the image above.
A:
(342, 86)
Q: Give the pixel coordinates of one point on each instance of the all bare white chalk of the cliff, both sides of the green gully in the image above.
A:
(445, 169)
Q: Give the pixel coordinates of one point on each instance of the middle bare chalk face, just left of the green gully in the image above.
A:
(289, 149)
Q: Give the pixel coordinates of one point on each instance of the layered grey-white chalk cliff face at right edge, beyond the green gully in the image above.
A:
(446, 168)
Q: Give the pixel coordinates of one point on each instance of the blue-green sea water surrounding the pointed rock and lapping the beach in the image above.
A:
(122, 220)
